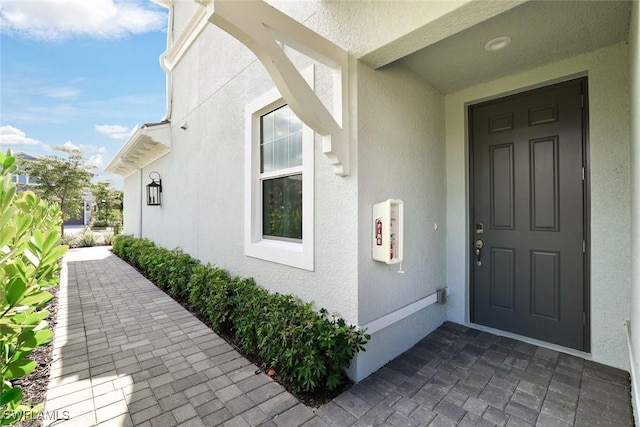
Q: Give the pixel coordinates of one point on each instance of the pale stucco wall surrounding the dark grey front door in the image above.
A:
(610, 183)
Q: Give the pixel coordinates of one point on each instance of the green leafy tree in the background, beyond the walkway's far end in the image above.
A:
(61, 180)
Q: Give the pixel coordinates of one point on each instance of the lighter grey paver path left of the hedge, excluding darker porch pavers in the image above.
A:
(126, 354)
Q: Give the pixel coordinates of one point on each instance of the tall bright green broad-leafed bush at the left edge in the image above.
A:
(30, 251)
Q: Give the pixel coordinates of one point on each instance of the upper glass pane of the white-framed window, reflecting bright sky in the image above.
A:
(281, 140)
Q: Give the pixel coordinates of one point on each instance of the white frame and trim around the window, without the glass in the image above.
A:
(291, 253)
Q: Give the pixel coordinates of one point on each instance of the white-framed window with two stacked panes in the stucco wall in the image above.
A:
(278, 184)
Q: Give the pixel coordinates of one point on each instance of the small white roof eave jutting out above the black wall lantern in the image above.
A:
(147, 144)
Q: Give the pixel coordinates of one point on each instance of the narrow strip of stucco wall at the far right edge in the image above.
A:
(634, 95)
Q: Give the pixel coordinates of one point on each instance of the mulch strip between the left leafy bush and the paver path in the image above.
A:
(34, 385)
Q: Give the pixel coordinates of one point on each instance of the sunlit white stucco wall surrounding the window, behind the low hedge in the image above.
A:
(204, 180)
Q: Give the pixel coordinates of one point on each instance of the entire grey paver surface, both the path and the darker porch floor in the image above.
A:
(126, 354)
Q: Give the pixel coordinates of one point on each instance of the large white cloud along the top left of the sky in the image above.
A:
(63, 19)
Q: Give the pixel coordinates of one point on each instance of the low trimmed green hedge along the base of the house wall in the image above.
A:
(309, 350)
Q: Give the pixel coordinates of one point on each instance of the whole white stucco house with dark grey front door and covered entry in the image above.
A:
(518, 168)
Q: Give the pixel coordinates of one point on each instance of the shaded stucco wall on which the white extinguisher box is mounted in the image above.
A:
(401, 155)
